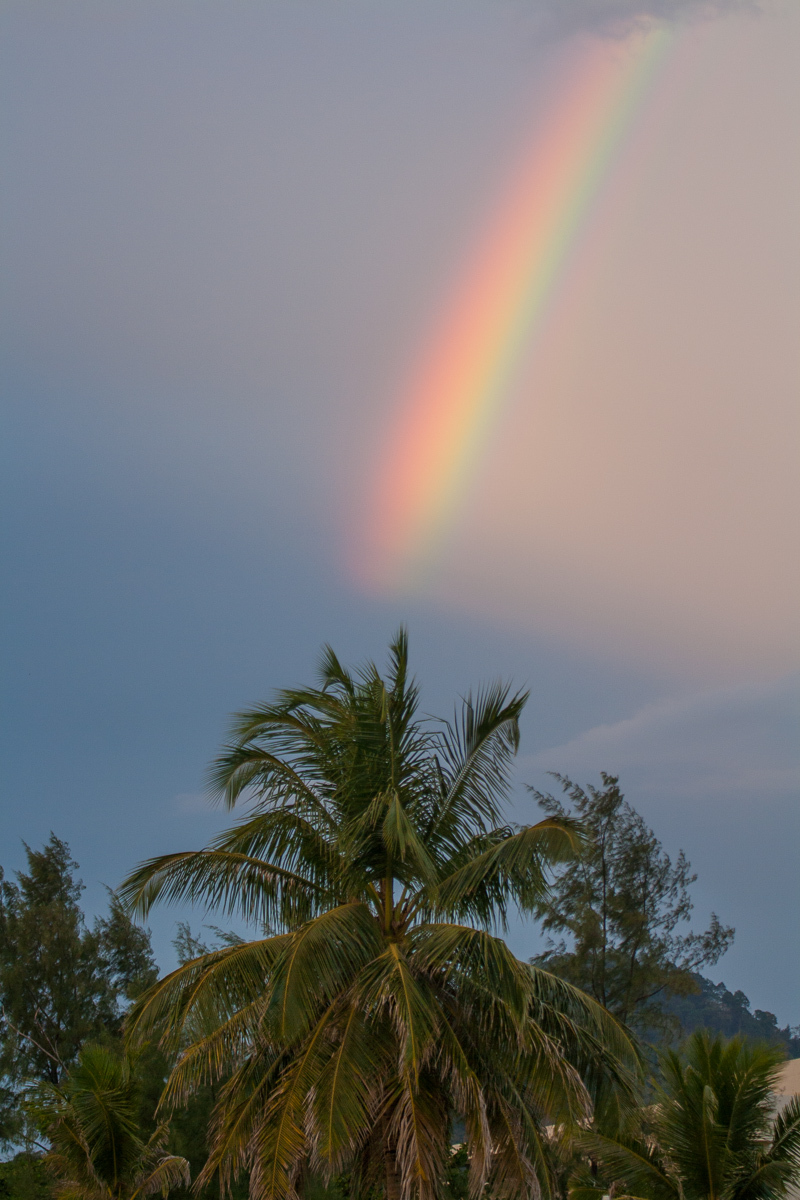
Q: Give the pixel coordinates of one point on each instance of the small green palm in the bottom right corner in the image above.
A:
(713, 1133)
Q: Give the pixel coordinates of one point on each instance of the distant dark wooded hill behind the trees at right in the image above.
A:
(729, 1013)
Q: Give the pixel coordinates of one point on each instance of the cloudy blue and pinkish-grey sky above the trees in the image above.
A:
(234, 239)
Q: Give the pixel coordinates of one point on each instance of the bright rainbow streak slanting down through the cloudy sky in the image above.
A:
(460, 386)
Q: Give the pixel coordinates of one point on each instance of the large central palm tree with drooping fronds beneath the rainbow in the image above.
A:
(378, 1006)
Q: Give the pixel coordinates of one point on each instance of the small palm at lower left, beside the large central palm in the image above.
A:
(98, 1151)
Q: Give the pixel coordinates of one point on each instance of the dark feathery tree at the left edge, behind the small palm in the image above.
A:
(61, 981)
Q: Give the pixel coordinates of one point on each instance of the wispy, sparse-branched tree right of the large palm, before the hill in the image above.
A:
(619, 909)
